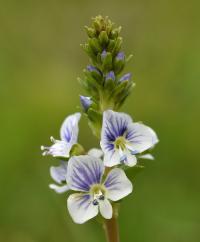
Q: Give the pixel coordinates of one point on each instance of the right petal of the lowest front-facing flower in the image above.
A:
(117, 184)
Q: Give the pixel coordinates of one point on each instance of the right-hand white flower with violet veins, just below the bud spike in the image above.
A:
(121, 139)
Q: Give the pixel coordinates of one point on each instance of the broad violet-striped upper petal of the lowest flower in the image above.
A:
(83, 171)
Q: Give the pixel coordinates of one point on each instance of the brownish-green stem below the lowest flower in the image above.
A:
(112, 230)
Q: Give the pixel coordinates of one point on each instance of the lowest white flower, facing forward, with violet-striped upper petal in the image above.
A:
(84, 175)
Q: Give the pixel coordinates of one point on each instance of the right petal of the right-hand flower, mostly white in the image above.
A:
(140, 137)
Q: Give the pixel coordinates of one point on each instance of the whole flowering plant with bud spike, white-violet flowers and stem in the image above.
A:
(98, 176)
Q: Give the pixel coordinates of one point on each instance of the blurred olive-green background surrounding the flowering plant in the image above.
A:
(40, 59)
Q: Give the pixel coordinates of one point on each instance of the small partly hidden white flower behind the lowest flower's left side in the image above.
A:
(59, 173)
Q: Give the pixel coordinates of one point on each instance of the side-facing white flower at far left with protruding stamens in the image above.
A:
(68, 134)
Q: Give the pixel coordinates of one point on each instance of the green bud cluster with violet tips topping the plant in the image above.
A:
(102, 79)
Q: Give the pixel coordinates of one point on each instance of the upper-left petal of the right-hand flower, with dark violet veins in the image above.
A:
(114, 125)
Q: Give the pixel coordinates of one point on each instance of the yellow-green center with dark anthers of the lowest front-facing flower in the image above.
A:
(97, 191)
